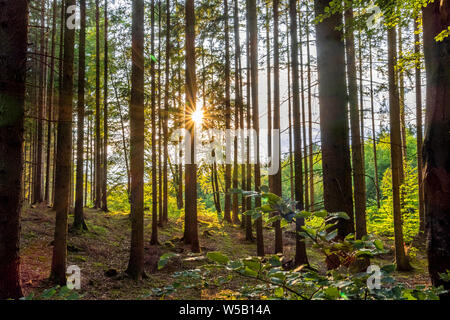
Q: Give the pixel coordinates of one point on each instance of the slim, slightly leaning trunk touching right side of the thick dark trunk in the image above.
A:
(358, 164)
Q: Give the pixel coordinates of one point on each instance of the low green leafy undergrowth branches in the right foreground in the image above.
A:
(345, 259)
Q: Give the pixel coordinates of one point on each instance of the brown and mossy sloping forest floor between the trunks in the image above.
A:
(102, 254)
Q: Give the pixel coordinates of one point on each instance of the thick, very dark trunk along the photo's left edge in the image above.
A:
(13, 56)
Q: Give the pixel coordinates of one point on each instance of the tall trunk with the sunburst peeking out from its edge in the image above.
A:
(191, 228)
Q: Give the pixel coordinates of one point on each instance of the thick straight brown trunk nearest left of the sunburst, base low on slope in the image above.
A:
(137, 132)
